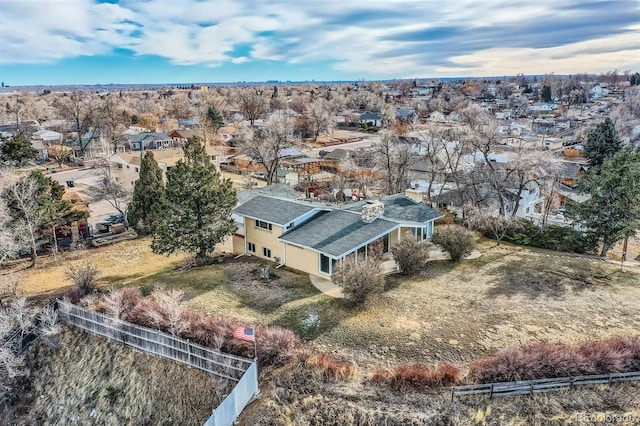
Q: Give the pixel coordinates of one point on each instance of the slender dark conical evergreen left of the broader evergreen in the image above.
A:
(148, 200)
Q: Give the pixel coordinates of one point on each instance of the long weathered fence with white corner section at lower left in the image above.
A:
(243, 371)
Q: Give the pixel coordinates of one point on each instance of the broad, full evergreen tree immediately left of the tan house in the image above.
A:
(199, 205)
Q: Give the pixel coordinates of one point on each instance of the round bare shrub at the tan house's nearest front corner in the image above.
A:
(360, 280)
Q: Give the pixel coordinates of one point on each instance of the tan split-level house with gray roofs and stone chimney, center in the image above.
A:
(314, 238)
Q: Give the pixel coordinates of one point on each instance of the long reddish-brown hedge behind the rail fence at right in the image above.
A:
(548, 360)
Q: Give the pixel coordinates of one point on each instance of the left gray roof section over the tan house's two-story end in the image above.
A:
(273, 210)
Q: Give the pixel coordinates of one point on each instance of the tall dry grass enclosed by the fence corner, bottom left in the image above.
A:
(90, 381)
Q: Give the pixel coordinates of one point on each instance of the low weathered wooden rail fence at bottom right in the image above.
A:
(530, 387)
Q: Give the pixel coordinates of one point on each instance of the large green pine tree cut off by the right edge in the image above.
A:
(613, 211)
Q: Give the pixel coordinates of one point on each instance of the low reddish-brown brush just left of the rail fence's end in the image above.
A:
(406, 376)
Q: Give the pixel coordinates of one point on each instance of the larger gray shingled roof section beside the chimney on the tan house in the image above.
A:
(337, 232)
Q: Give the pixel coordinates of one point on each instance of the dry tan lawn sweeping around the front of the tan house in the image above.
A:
(451, 312)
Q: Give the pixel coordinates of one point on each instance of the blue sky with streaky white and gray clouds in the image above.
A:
(163, 41)
